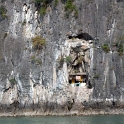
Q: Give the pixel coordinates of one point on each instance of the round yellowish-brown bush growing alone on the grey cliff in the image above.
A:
(38, 42)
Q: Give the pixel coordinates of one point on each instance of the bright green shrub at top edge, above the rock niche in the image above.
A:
(70, 7)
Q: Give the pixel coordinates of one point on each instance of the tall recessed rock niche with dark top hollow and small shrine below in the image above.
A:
(79, 67)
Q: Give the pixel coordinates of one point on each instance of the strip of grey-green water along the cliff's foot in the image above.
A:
(110, 119)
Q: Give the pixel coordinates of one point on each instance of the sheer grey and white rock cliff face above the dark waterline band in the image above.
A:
(31, 78)
